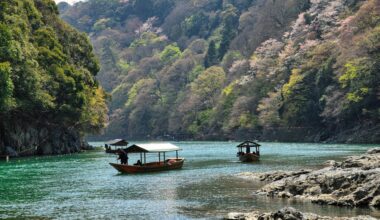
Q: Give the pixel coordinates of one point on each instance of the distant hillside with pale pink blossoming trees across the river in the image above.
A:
(290, 70)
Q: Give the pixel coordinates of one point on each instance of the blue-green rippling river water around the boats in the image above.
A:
(84, 186)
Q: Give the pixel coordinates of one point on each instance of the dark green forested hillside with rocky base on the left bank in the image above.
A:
(49, 97)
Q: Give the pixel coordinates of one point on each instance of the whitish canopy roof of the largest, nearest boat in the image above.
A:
(152, 148)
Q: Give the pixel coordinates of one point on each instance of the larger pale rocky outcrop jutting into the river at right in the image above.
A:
(353, 182)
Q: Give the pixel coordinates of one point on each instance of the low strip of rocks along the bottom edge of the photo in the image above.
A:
(289, 213)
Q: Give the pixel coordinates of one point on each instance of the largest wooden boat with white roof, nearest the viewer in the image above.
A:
(142, 166)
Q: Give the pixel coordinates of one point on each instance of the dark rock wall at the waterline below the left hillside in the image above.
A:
(23, 138)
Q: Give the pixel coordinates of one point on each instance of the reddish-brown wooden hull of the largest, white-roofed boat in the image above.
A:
(149, 167)
